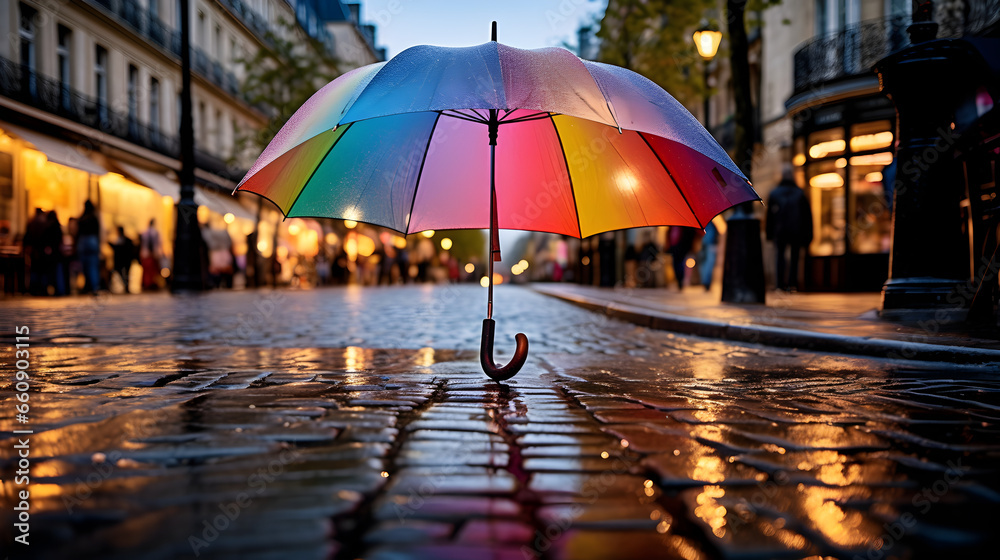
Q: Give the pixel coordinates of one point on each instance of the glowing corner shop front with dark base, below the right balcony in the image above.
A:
(843, 160)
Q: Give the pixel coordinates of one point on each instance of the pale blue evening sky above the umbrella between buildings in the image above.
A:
(526, 24)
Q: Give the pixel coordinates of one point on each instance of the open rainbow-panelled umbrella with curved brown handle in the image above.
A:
(576, 148)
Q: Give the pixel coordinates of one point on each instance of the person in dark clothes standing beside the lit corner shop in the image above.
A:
(789, 225)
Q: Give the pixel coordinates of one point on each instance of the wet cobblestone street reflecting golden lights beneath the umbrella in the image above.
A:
(356, 423)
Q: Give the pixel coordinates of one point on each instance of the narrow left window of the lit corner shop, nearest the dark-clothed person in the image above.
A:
(829, 208)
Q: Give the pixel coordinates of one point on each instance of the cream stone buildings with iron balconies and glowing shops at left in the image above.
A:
(90, 108)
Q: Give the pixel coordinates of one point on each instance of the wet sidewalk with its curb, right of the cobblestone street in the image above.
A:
(843, 323)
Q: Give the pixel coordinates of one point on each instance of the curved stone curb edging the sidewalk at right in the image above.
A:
(783, 337)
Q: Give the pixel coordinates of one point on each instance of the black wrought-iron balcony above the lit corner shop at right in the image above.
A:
(848, 53)
